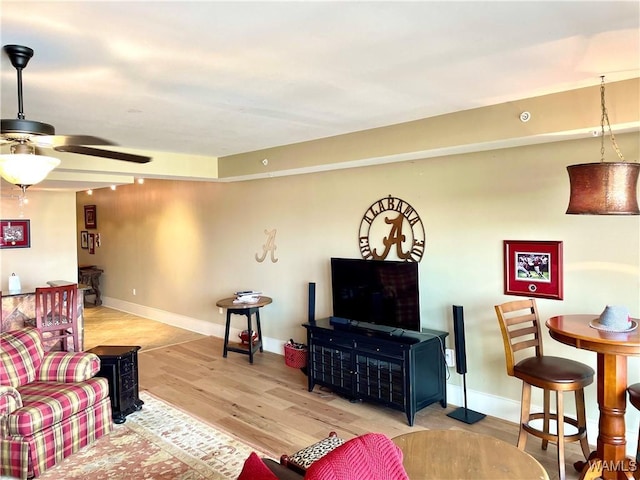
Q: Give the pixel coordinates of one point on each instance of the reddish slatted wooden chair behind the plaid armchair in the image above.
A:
(57, 314)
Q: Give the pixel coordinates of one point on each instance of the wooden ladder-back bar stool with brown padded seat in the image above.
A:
(520, 326)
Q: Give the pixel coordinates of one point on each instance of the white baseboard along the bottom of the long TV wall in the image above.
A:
(498, 407)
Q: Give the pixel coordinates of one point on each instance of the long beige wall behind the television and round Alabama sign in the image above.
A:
(184, 245)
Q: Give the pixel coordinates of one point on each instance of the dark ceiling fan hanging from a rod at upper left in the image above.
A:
(25, 136)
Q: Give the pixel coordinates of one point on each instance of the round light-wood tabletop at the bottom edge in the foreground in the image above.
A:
(463, 455)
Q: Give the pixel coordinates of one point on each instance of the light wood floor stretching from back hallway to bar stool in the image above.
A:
(267, 404)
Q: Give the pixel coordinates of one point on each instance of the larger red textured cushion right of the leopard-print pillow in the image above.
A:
(372, 456)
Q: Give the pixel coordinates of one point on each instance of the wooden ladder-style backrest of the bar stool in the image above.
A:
(520, 327)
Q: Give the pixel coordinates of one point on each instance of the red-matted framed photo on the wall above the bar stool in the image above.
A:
(533, 268)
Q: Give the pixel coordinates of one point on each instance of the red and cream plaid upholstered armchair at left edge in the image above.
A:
(51, 405)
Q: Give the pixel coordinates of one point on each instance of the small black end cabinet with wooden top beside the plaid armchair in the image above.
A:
(119, 364)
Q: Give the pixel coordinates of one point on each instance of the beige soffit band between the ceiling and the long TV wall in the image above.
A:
(554, 117)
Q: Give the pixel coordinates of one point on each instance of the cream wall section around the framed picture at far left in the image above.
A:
(53, 254)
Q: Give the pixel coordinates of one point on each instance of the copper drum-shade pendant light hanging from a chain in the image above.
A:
(604, 188)
